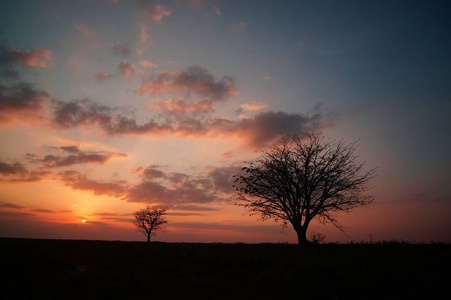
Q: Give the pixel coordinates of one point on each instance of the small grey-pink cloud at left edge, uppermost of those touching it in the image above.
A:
(38, 58)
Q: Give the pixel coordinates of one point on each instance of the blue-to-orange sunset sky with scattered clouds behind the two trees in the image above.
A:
(107, 106)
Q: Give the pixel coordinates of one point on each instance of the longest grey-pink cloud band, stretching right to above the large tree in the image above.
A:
(184, 119)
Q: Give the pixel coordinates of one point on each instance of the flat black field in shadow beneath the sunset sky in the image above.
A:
(70, 269)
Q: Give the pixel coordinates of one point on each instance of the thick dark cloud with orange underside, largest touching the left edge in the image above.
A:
(20, 101)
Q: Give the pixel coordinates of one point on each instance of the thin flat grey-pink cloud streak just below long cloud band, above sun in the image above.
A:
(76, 156)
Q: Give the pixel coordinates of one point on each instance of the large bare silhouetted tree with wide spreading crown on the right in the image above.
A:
(302, 178)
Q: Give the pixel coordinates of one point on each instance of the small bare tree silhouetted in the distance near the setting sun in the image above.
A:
(148, 220)
